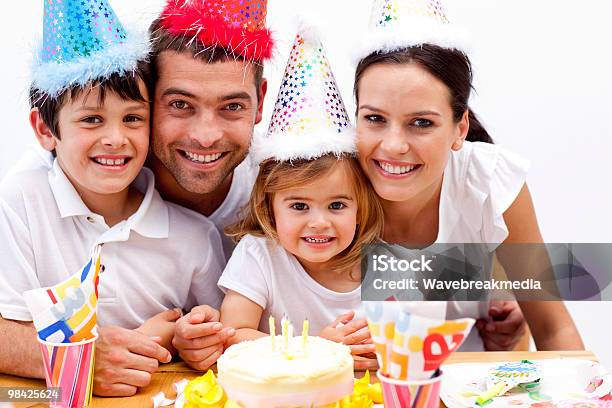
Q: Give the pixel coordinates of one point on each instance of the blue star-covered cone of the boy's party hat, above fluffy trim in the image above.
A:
(75, 28)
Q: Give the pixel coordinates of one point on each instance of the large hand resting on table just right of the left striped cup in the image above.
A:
(125, 360)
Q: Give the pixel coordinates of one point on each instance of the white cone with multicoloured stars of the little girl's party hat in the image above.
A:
(308, 99)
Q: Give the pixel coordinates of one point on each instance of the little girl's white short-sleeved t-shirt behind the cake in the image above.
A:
(267, 274)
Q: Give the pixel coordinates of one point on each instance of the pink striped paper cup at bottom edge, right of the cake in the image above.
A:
(402, 394)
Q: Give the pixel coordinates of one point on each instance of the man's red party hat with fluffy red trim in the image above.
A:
(236, 25)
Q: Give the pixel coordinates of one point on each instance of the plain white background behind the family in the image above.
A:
(543, 88)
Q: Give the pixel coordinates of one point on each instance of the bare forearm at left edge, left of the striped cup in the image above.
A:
(19, 351)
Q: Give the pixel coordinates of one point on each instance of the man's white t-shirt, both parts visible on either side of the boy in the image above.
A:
(226, 214)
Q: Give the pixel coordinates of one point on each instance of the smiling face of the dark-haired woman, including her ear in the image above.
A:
(405, 130)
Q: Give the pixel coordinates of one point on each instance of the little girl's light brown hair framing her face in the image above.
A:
(275, 176)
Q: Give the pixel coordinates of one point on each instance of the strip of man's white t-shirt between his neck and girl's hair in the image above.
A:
(235, 203)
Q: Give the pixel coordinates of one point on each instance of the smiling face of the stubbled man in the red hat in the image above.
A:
(203, 118)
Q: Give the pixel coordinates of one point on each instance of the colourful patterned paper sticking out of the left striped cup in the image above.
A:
(66, 312)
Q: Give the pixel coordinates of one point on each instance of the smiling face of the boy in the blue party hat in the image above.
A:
(102, 146)
